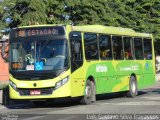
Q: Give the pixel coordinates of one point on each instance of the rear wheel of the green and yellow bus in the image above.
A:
(132, 87)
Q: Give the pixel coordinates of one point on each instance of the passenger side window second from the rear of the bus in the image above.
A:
(138, 49)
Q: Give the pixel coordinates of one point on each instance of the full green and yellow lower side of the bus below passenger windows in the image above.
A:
(114, 76)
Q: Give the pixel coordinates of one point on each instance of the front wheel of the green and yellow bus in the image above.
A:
(90, 95)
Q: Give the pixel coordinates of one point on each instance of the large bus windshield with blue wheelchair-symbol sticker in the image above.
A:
(39, 55)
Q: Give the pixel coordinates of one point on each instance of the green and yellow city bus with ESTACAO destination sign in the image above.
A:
(59, 61)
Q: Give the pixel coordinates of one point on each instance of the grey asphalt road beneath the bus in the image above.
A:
(114, 106)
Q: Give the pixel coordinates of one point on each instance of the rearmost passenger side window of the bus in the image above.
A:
(147, 48)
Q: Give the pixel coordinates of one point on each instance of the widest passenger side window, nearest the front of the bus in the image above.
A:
(91, 46)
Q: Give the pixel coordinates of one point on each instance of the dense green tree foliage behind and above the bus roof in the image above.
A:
(140, 15)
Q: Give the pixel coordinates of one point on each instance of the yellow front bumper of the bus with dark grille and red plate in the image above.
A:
(40, 93)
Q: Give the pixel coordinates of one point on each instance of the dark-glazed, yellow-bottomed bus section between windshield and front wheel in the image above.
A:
(77, 71)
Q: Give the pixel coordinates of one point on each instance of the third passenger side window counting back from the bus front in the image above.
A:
(117, 47)
